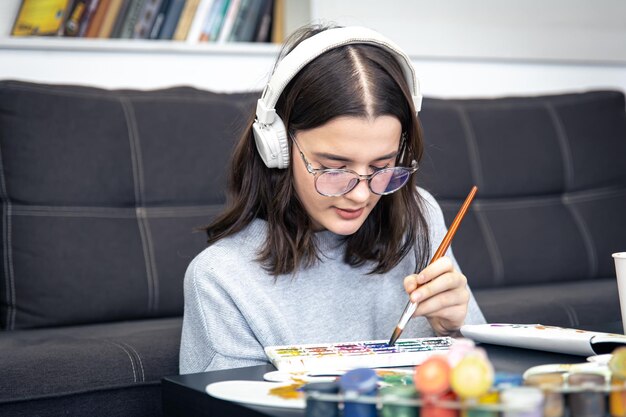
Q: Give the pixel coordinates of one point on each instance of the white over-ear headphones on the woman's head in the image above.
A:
(269, 130)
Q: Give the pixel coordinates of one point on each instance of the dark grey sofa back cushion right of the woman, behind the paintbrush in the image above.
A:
(551, 174)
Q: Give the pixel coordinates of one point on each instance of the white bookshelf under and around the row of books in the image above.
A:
(137, 63)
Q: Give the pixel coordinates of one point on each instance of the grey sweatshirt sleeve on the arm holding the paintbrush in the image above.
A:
(438, 230)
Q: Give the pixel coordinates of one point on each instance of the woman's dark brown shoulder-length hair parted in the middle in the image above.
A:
(329, 86)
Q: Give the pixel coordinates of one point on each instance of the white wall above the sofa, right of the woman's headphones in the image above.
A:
(495, 47)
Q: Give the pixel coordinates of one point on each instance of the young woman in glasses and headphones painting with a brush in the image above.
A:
(326, 234)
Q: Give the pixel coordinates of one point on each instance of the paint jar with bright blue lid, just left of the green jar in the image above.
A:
(357, 383)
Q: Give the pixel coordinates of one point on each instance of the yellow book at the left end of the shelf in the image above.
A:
(40, 18)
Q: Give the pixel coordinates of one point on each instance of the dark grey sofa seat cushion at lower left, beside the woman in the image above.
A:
(40, 364)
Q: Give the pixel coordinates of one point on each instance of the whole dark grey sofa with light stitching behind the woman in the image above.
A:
(102, 191)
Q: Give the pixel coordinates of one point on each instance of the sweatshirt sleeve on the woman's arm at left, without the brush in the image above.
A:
(215, 335)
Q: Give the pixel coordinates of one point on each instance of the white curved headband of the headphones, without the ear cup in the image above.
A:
(316, 45)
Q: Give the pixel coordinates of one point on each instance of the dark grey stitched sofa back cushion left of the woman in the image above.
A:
(101, 193)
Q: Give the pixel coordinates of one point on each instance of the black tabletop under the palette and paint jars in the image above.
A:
(185, 395)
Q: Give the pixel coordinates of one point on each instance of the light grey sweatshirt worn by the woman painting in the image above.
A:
(234, 308)
